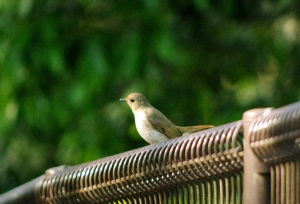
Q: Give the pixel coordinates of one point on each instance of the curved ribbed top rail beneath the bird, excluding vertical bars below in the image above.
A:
(204, 155)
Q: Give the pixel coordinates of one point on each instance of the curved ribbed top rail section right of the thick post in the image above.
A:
(275, 137)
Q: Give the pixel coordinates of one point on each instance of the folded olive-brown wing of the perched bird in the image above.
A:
(161, 123)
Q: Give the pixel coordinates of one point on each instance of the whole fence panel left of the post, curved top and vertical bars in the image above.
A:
(203, 167)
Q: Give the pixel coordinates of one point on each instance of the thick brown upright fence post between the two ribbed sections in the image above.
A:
(256, 173)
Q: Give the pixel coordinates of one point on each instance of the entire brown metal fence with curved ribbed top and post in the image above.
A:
(254, 160)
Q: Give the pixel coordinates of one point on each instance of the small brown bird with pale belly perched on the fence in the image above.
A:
(153, 125)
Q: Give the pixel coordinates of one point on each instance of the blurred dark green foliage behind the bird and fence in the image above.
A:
(64, 64)
